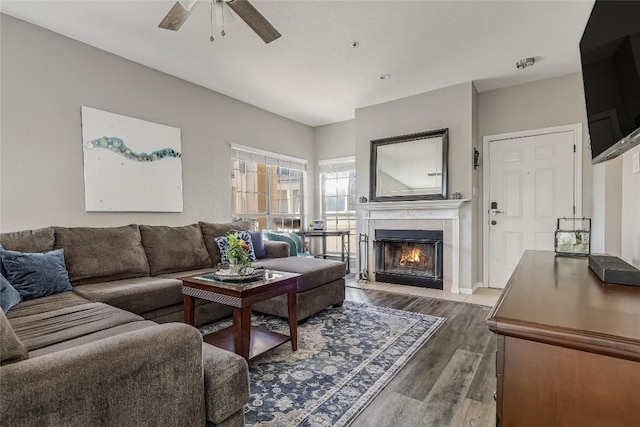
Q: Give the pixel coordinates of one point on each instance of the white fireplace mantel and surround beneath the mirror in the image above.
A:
(415, 215)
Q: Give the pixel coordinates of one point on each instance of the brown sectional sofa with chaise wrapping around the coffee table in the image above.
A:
(95, 355)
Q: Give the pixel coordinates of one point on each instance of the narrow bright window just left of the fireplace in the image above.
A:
(338, 185)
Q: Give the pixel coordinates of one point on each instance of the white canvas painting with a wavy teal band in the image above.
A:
(130, 165)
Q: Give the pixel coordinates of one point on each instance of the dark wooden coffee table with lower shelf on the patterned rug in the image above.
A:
(242, 338)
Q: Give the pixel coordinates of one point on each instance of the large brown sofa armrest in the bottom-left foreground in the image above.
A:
(152, 376)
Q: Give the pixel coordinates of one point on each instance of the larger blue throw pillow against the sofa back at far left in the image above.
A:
(36, 275)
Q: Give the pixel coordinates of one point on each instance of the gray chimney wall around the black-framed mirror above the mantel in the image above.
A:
(451, 108)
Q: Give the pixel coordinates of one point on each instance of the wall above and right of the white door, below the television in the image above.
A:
(610, 191)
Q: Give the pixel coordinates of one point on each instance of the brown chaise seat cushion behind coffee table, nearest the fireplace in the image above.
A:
(315, 271)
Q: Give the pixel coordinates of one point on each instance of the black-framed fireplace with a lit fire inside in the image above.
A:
(409, 257)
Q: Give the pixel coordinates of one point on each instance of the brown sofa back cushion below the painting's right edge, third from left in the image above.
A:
(172, 249)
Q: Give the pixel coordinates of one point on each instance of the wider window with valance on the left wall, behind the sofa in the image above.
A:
(267, 188)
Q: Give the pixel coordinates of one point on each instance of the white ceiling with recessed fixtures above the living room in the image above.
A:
(311, 74)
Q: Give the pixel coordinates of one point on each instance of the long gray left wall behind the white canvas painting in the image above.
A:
(46, 77)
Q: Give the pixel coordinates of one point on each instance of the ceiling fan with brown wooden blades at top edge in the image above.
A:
(245, 10)
